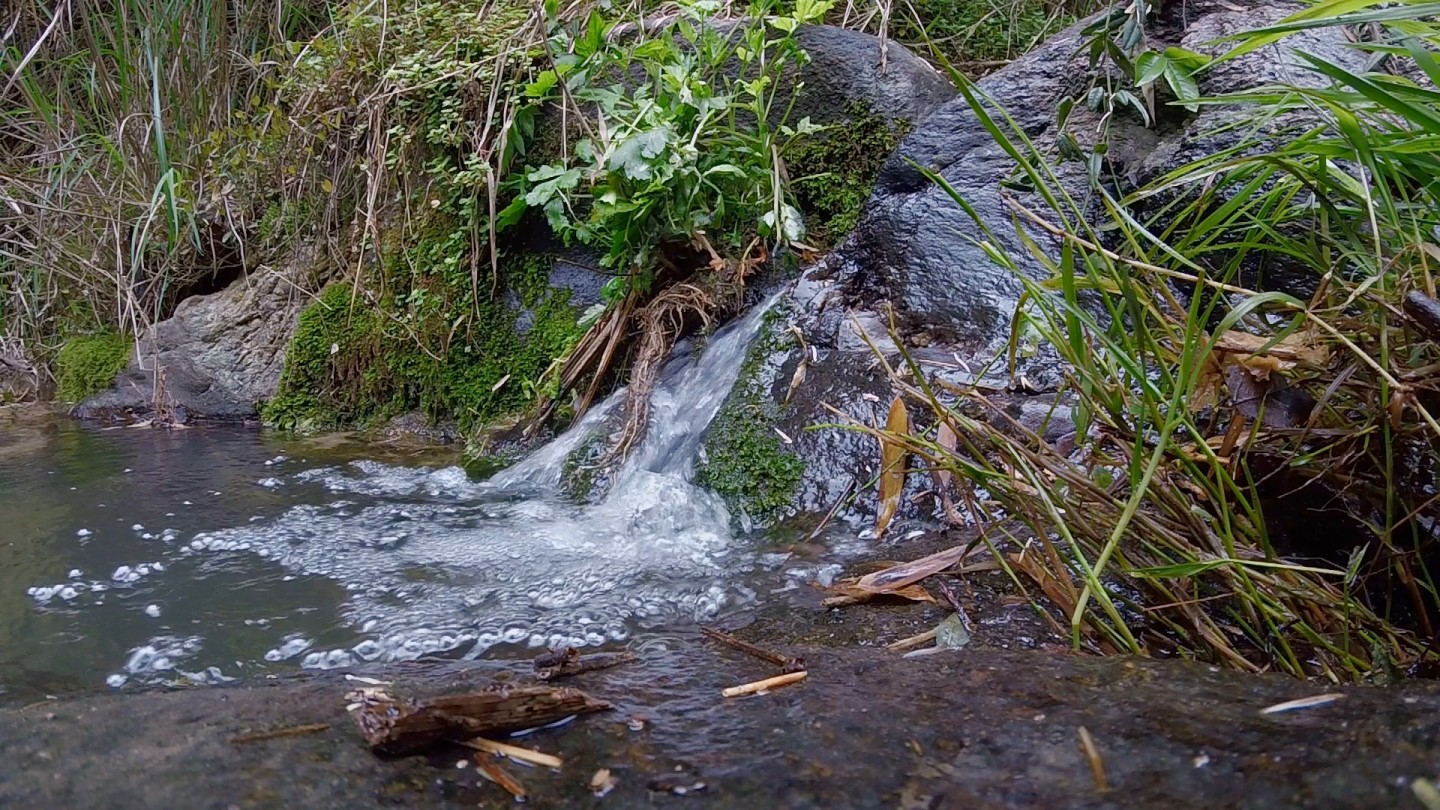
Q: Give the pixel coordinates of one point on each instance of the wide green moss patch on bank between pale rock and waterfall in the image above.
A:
(427, 345)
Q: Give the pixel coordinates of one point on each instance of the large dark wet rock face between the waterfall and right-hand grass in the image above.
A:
(915, 256)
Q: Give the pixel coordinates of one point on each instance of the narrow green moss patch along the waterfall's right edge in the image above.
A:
(745, 460)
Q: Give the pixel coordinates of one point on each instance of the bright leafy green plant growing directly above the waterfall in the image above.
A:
(682, 151)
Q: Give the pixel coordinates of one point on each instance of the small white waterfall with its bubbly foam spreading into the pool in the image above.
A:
(434, 561)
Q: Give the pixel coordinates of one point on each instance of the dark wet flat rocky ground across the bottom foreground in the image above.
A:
(973, 729)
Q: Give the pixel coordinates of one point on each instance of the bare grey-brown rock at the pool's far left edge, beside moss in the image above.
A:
(222, 354)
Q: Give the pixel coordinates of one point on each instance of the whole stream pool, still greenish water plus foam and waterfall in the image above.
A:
(136, 556)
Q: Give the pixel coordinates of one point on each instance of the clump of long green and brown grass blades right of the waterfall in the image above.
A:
(1203, 401)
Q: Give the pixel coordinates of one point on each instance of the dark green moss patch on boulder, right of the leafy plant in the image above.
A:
(836, 169)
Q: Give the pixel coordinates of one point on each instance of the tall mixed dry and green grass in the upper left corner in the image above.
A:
(106, 110)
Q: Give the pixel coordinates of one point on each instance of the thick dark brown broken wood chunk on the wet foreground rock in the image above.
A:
(397, 726)
